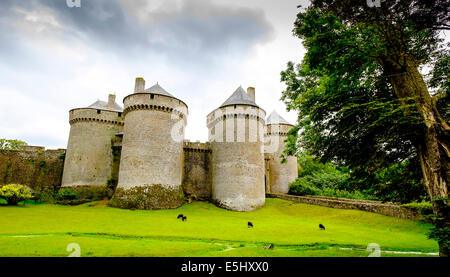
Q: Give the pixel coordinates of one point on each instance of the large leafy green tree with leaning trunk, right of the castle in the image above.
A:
(360, 94)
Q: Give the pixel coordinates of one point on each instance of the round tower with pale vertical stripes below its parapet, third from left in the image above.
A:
(236, 133)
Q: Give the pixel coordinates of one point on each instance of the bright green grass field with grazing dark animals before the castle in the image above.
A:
(46, 230)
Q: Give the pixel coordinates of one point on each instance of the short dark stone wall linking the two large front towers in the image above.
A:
(197, 175)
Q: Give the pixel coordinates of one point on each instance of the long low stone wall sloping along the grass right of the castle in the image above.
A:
(388, 209)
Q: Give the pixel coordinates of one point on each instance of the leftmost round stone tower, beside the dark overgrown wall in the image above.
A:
(89, 155)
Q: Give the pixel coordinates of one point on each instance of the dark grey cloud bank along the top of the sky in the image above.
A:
(191, 30)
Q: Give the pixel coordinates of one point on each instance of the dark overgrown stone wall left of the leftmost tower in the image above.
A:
(35, 167)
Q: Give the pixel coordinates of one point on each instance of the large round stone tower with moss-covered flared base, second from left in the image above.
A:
(150, 173)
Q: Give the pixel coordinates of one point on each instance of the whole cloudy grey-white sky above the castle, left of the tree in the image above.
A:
(54, 58)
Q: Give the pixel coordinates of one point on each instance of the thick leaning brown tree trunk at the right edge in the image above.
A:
(434, 147)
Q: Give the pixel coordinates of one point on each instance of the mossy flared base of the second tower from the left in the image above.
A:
(148, 197)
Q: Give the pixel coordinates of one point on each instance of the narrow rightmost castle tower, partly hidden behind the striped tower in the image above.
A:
(281, 174)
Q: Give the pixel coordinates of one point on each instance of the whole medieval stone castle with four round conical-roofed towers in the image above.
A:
(139, 152)
